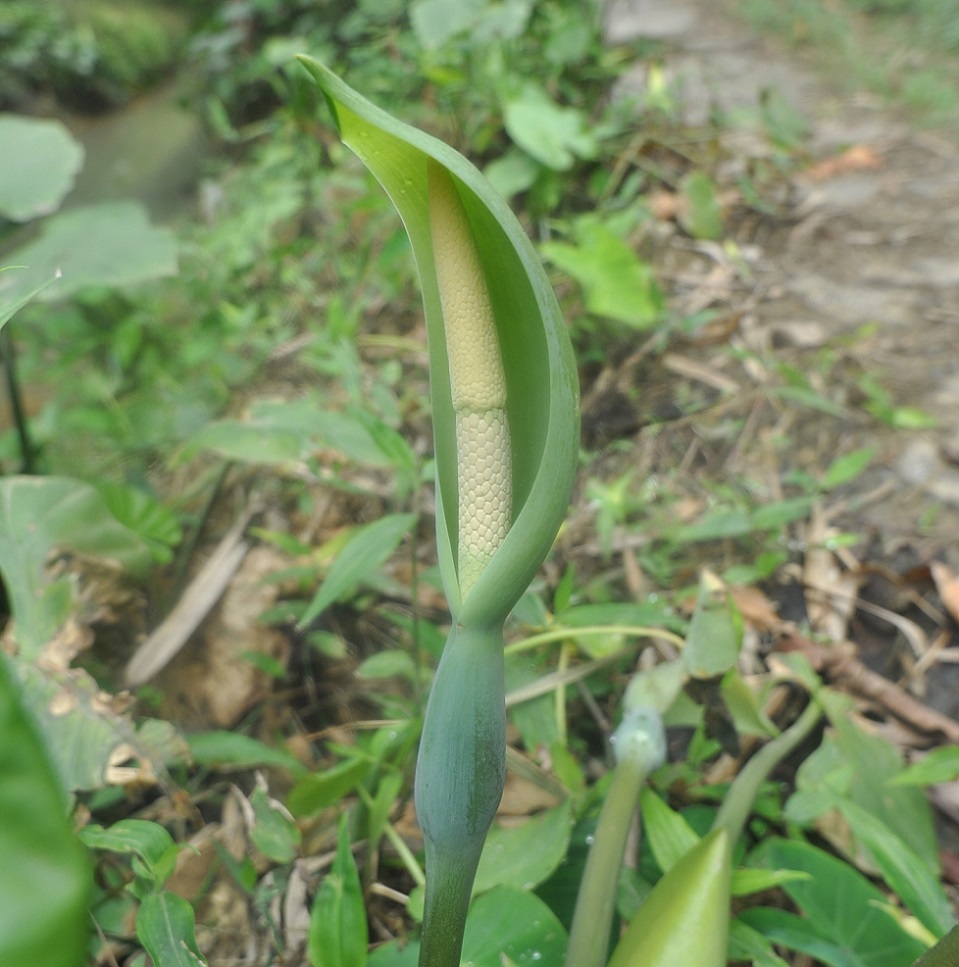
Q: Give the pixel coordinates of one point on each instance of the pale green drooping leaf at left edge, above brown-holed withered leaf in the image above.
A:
(37, 515)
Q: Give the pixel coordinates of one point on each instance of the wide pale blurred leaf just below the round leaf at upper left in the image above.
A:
(111, 244)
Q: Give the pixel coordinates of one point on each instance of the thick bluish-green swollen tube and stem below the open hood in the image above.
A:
(459, 781)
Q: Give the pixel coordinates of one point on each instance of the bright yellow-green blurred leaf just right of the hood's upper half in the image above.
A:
(616, 283)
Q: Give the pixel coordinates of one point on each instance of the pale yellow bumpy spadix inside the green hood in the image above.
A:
(477, 383)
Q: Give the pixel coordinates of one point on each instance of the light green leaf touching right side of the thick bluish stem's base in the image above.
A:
(524, 856)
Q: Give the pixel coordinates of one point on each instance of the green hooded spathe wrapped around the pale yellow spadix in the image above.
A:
(540, 370)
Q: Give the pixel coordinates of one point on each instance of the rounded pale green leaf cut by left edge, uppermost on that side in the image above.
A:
(39, 161)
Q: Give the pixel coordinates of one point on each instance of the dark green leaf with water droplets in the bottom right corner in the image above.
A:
(843, 908)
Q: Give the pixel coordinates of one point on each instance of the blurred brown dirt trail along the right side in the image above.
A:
(877, 246)
